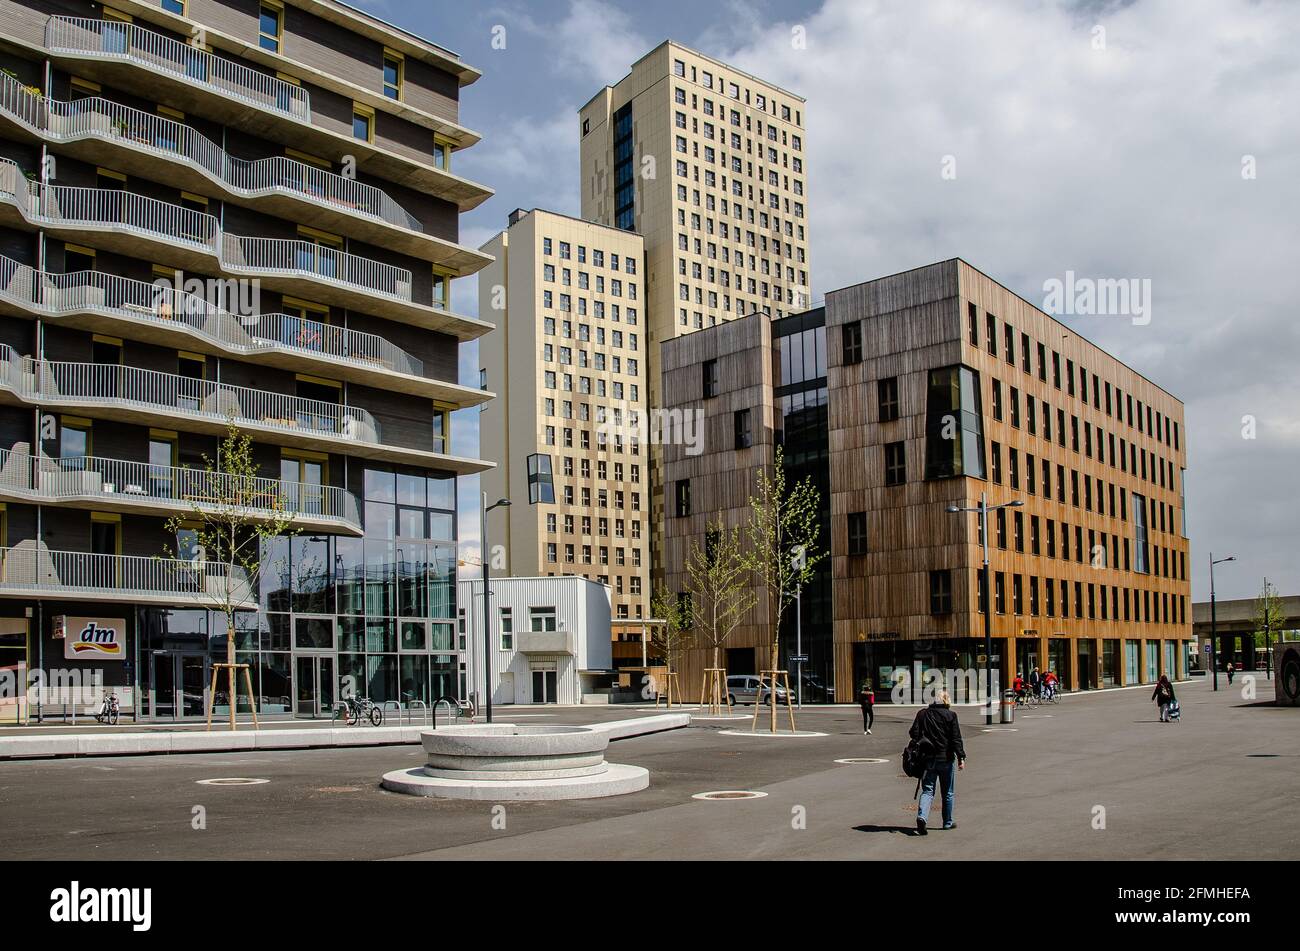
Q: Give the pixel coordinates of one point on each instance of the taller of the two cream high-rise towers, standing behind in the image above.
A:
(708, 163)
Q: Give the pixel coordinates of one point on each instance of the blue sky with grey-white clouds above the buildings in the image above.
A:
(1151, 141)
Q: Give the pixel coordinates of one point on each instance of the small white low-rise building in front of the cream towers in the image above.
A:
(551, 639)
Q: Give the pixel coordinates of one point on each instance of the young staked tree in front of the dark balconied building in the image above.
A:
(233, 513)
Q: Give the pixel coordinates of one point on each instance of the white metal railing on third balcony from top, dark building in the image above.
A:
(62, 205)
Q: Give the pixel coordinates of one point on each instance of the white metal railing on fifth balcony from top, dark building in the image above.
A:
(203, 399)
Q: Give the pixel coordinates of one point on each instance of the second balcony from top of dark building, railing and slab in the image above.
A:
(96, 131)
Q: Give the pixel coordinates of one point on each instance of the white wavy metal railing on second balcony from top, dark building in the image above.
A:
(97, 118)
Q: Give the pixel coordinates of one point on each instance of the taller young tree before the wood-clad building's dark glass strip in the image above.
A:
(783, 546)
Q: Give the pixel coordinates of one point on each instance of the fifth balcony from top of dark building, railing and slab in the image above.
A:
(131, 394)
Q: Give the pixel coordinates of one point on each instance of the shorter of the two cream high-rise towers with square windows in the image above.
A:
(569, 367)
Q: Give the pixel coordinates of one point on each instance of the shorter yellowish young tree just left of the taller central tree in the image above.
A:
(718, 580)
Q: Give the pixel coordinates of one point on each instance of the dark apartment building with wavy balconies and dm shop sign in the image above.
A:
(214, 214)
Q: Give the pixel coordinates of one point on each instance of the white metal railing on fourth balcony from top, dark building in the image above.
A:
(96, 292)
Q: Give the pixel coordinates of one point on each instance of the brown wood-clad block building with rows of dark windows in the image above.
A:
(929, 389)
